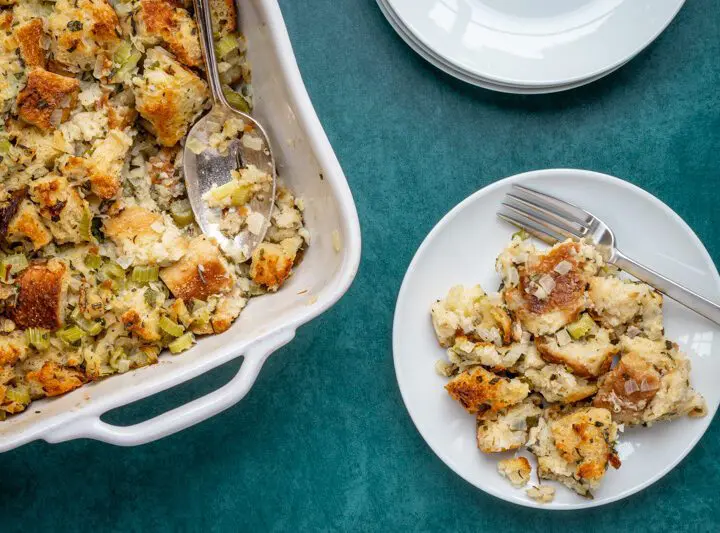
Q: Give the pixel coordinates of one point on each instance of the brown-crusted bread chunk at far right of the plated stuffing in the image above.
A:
(650, 383)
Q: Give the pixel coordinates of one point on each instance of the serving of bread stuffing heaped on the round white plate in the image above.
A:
(558, 360)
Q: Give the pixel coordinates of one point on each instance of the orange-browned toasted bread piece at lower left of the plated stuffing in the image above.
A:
(482, 391)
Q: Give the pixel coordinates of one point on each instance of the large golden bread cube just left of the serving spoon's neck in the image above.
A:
(169, 96)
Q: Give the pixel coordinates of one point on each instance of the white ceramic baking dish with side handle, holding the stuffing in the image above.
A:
(307, 163)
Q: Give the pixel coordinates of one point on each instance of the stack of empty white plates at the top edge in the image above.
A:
(529, 46)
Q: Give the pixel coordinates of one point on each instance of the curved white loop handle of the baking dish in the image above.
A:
(91, 427)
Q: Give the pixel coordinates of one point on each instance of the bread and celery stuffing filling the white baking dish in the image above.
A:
(102, 265)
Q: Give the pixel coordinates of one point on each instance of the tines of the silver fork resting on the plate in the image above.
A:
(546, 217)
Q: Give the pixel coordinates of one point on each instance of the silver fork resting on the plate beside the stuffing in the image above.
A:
(550, 219)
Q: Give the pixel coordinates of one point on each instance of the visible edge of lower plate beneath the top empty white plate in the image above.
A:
(438, 62)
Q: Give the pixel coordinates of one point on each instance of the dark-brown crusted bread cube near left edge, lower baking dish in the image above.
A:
(41, 296)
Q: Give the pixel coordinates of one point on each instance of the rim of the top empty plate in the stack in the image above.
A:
(460, 66)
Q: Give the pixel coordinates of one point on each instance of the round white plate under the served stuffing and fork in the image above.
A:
(462, 249)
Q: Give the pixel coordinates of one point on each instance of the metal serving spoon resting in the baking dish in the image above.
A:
(209, 168)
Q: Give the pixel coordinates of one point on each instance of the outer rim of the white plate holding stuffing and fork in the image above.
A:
(566, 173)
